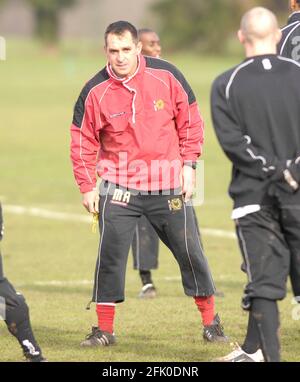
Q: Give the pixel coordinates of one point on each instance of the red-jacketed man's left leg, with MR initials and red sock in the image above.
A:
(118, 216)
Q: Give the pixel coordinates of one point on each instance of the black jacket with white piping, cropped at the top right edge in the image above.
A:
(289, 45)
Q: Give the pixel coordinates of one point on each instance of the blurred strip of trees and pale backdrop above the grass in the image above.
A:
(182, 24)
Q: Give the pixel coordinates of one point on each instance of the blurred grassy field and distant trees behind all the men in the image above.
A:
(53, 47)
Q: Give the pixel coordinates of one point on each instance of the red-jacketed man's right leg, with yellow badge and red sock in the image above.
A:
(176, 225)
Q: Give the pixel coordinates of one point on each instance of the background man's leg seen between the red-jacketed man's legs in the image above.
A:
(145, 246)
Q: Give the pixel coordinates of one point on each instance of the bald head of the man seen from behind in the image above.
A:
(259, 32)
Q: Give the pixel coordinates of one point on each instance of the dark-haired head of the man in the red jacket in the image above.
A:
(122, 48)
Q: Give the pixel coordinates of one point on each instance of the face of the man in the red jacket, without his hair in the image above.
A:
(122, 54)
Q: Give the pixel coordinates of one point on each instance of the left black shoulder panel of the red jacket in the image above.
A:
(80, 104)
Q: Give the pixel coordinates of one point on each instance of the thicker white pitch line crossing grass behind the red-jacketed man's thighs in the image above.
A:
(64, 216)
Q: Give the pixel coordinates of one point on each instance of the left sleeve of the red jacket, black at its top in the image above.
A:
(84, 142)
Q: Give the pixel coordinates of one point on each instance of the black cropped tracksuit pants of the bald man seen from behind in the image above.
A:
(270, 244)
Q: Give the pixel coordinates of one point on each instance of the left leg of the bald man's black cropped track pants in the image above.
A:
(265, 254)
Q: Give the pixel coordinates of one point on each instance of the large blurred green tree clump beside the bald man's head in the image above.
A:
(205, 25)
